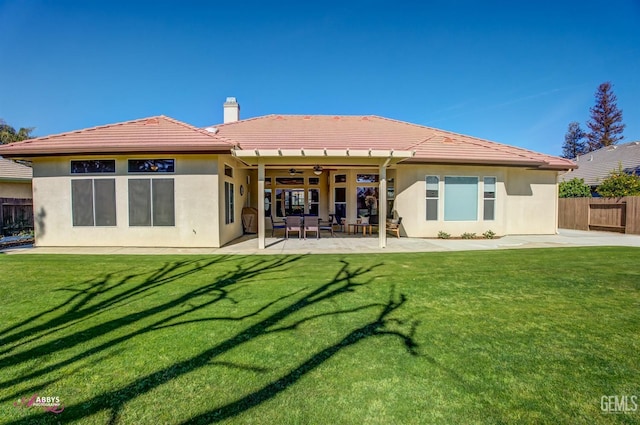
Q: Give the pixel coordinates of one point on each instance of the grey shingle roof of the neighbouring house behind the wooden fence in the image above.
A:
(597, 165)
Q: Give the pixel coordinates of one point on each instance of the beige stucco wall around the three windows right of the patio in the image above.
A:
(526, 201)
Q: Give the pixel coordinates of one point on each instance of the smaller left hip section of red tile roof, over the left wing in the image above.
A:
(154, 134)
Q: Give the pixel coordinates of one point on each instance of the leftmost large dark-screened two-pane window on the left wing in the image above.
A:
(93, 202)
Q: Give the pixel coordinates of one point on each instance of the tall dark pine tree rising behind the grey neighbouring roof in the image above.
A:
(606, 119)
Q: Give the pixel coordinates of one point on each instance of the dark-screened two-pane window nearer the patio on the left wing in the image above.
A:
(151, 202)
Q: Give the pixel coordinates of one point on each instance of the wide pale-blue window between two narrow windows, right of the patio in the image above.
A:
(460, 198)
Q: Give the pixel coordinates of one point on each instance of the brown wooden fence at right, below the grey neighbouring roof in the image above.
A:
(610, 214)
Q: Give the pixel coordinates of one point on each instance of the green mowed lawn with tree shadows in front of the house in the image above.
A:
(518, 336)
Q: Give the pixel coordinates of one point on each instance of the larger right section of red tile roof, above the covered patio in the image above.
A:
(430, 145)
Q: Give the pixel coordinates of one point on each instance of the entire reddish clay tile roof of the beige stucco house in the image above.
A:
(413, 143)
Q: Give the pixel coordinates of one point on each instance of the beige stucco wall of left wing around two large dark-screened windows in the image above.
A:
(196, 187)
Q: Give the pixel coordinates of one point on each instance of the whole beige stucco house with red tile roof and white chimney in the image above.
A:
(160, 182)
